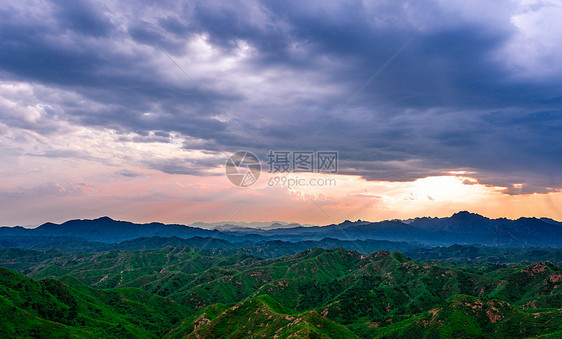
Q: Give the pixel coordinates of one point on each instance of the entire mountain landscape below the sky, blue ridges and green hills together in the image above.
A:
(464, 276)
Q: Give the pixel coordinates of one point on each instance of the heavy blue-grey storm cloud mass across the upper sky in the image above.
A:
(444, 103)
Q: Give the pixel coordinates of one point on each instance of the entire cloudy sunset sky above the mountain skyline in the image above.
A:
(131, 110)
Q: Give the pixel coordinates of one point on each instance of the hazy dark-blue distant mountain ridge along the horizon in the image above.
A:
(460, 228)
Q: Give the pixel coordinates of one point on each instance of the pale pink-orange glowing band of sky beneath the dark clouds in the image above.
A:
(146, 177)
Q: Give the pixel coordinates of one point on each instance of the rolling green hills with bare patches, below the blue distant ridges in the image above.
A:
(178, 291)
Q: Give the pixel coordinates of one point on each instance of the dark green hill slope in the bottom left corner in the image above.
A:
(52, 308)
